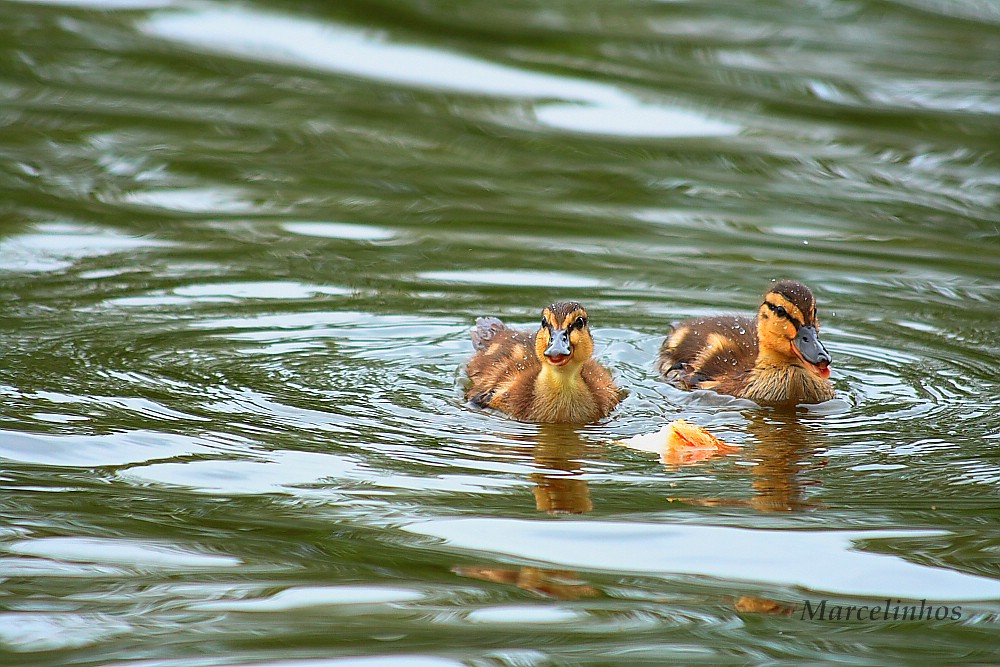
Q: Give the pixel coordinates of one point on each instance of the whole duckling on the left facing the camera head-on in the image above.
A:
(542, 376)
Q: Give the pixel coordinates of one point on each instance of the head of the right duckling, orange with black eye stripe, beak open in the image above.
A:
(787, 327)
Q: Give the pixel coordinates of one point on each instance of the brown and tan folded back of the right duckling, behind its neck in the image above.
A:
(701, 353)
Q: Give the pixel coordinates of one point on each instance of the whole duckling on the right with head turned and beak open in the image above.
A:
(777, 359)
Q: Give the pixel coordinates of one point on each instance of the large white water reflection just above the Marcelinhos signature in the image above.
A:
(819, 561)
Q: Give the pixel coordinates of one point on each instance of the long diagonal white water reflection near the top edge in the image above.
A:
(599, 107)
